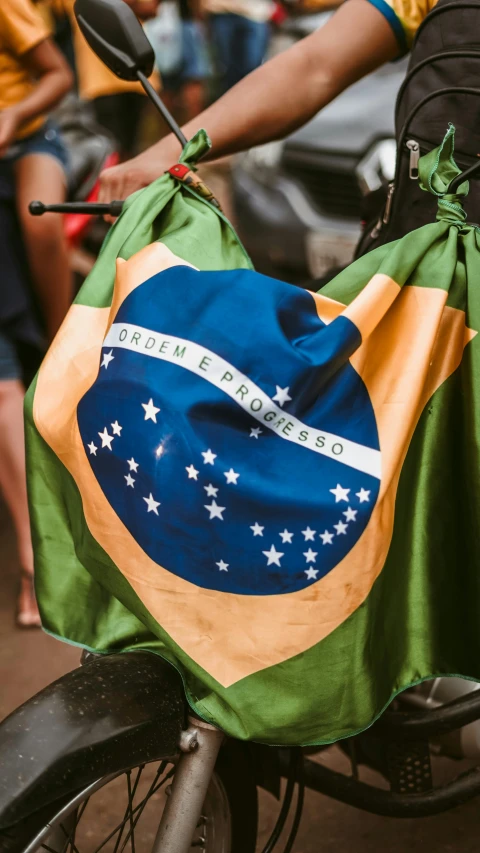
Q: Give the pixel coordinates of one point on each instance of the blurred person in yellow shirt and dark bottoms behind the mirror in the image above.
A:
(118, 105)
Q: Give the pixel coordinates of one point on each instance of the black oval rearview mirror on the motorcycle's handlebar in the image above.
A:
(115, 34)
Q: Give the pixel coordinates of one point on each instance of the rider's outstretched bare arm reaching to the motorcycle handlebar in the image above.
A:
(277, 98)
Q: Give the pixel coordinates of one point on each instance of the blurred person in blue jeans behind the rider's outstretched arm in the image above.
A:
(240, 31)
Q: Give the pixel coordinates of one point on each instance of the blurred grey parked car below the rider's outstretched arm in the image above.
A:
(298, 203)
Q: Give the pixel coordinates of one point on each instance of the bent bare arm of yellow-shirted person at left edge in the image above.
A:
(54, 79)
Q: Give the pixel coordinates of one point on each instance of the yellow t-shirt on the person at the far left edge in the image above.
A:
(21, 29)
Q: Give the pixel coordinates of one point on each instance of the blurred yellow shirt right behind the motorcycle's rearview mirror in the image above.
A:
(94, 78)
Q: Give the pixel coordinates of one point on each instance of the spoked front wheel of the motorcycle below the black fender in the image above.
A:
(122, 813)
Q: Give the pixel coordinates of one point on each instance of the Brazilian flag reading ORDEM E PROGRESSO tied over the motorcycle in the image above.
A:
(275, 490)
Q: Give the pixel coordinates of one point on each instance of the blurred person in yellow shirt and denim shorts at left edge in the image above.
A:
(34, 77)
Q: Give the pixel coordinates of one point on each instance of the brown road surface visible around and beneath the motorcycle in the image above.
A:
(30, 660)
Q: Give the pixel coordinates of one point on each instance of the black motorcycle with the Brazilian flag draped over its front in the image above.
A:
(122, 721)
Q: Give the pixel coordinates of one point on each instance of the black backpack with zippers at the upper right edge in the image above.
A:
(442, 85)
